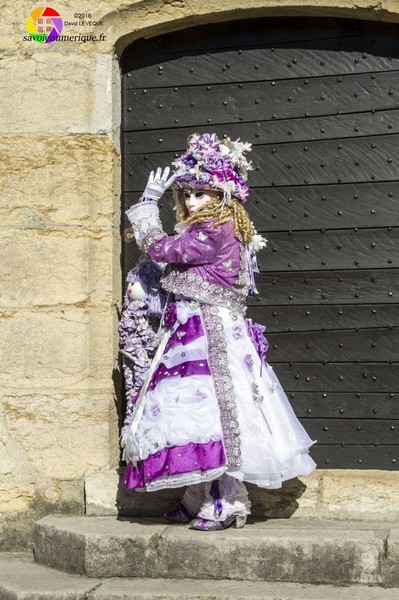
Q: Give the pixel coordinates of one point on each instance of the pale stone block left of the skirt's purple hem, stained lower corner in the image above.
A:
(63, 436)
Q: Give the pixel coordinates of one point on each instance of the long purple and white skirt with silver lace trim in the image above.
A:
(210, 406)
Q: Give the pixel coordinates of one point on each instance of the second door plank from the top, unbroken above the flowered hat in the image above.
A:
(189, 105)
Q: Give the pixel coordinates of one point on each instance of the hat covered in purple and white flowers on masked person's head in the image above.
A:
(211, 163)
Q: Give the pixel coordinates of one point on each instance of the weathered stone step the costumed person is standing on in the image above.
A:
(322, 552)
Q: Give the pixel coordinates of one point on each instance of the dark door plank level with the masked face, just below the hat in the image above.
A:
(304, 208)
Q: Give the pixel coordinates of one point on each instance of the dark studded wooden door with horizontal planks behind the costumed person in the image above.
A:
(318, 99)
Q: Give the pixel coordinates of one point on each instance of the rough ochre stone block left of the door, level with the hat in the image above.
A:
(60, 181)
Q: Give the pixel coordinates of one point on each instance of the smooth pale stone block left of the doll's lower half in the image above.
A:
(64, 349)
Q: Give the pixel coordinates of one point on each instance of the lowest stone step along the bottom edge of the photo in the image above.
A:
(23, 579)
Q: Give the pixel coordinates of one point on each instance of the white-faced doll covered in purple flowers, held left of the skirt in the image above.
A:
(138, 326)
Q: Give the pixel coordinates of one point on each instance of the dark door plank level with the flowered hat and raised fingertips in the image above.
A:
(320, 162)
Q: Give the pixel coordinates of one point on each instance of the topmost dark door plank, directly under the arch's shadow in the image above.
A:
(256, 64)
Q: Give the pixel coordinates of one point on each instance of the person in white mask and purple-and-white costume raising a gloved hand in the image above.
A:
(211, 413)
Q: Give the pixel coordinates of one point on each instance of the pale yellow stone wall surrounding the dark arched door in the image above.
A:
(60, 245)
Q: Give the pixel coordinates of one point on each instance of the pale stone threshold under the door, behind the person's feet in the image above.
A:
(298, 498)
